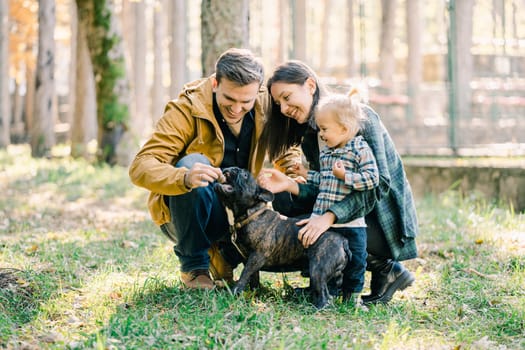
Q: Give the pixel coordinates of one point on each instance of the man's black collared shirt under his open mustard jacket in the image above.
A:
(236, 149)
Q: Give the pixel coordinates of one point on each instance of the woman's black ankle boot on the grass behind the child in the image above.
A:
(388, 276)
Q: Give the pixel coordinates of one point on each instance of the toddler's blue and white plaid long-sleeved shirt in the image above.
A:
(361, 173)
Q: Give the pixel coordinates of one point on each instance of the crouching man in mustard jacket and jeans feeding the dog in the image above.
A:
(215, 123)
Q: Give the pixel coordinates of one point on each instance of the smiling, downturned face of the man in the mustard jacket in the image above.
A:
(234, 100)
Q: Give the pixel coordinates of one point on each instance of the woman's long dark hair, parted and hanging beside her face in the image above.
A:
(281, 132)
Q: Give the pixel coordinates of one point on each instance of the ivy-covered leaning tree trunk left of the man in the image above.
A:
(112, 87)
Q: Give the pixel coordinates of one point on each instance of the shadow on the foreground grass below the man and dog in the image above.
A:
(162, 315)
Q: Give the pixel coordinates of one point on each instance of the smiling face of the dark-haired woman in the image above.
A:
(295, 100)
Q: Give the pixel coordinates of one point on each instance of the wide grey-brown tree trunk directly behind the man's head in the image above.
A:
(220, 32)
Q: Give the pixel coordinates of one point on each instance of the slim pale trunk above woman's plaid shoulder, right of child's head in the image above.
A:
(386, 48)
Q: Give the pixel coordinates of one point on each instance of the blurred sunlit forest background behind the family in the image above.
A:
(444, 75)
